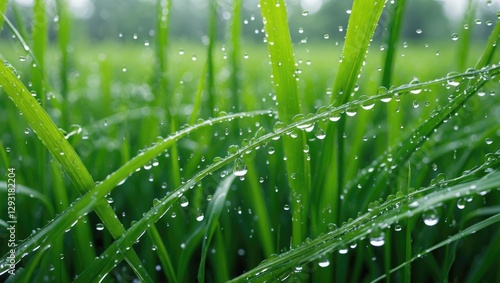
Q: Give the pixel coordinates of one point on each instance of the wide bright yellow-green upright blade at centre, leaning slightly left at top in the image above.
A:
(285, 85)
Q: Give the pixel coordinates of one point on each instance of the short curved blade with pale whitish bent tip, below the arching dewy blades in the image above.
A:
(213, 212)
